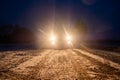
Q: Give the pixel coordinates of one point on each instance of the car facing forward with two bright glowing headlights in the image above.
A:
(60, 40)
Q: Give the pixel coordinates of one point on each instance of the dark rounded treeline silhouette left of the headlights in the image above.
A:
(15, 34)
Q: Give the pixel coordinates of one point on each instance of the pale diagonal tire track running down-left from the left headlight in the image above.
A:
(24, 67)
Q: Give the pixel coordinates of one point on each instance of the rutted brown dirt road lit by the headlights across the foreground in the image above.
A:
(56, 65)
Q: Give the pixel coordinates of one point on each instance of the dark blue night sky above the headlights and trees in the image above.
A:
(102, 17)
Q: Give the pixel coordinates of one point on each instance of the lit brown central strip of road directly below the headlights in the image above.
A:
(57, 66)
